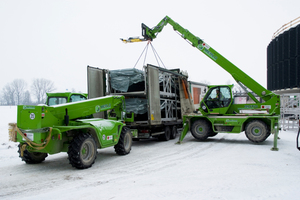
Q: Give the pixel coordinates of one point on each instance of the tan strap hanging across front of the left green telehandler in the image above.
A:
(29, 142)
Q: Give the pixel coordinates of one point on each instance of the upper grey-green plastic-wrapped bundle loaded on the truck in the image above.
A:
(122, 79)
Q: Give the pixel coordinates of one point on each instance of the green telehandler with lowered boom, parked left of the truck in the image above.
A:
(70, 127)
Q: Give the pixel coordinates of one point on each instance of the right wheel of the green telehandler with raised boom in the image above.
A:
(257, 131)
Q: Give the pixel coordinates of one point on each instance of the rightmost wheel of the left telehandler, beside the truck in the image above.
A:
(125, 142)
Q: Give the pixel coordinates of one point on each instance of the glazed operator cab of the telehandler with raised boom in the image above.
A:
(217, 100)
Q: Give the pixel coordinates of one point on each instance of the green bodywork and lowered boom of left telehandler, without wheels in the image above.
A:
(67, 120)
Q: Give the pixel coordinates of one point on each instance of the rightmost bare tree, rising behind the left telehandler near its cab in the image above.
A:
(40, 87)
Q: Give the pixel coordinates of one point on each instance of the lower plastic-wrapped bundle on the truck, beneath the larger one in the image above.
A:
(136, 105)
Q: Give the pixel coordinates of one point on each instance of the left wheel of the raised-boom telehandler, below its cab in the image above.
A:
(201, 129)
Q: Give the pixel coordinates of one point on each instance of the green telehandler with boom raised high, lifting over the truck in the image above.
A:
(218, 113)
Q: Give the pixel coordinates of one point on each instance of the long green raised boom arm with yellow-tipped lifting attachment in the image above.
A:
(241, 78)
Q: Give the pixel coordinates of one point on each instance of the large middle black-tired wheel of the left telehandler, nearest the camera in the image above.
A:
(82, 151)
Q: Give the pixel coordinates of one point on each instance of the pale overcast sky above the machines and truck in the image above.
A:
(57, 39)
